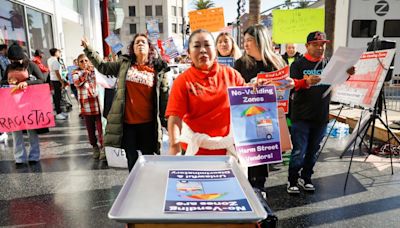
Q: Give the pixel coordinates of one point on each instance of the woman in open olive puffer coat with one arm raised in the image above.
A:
(137, 113)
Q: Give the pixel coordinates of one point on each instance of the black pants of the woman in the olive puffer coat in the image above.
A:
(140, 137)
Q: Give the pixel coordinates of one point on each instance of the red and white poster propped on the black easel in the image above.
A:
(364, 86)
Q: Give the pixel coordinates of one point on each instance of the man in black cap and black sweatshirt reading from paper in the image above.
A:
(309, 112)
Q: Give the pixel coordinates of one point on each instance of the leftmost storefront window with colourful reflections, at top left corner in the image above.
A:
(12, 24)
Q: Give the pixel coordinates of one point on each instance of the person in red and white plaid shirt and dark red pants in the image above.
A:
(84, 79)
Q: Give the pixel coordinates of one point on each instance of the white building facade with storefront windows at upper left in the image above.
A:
(46, 24)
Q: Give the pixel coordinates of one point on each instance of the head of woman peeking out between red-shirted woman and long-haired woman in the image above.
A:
(226, 46)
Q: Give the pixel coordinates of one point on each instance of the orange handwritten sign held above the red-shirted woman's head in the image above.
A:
(208, 19)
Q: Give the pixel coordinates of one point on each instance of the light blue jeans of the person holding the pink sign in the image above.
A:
(19, 146)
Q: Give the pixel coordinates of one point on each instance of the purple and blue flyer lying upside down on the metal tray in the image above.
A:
(194, 191)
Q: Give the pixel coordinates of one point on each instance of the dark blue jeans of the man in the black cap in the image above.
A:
(306, 139)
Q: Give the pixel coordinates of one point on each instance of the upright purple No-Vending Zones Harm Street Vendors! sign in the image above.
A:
(254, 121)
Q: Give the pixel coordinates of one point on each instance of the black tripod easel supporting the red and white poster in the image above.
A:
(376, 114)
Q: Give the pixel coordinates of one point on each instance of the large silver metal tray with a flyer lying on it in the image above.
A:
(188, 191)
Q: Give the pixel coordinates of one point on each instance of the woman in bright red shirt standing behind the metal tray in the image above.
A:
(198, 107)
